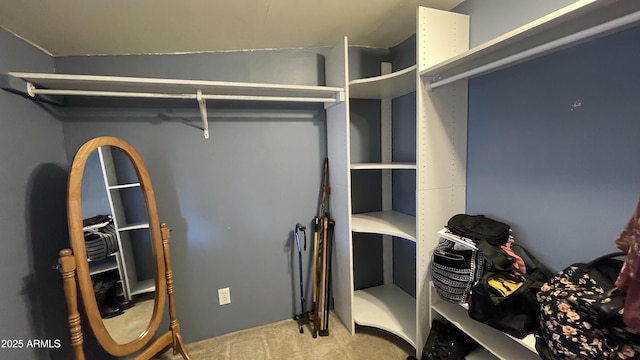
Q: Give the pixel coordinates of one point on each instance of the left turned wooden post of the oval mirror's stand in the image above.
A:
(68, 271)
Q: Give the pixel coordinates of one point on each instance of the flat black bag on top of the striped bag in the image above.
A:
(479, 228)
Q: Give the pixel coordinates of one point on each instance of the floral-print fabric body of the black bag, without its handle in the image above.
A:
(570, 328)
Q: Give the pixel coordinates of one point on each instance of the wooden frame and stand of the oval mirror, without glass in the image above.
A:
(75, 267)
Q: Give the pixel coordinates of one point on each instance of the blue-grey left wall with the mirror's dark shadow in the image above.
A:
(33, 177)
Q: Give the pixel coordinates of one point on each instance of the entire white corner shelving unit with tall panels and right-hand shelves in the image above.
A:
(443, 65)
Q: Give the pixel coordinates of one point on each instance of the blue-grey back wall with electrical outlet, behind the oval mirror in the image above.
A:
(231, 201)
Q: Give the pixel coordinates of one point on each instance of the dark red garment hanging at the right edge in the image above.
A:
(629, 278)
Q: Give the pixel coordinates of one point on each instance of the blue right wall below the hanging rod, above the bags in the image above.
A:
(566, 177)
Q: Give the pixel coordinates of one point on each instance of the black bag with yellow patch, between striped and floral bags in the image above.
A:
(515, 313)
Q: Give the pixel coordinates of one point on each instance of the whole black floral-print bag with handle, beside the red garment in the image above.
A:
(580, 314)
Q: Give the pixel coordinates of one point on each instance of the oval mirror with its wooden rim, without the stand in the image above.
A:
(117, 245)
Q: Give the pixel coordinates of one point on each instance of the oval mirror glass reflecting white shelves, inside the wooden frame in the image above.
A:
(118, 243)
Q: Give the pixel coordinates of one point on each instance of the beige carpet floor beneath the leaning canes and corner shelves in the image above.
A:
(282, 341)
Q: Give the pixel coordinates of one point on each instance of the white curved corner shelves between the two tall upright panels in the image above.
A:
(387, 306)
